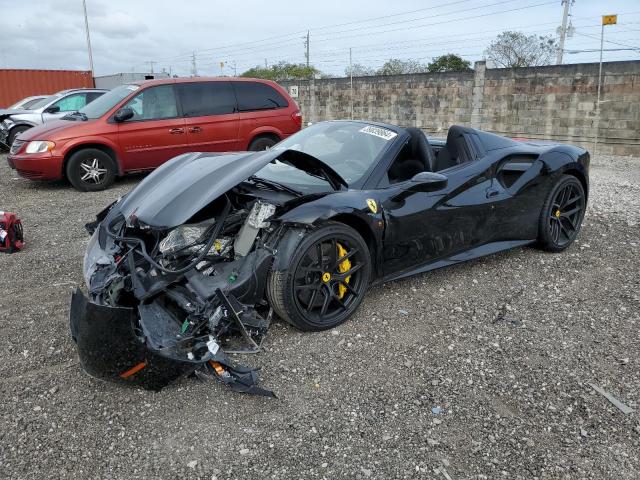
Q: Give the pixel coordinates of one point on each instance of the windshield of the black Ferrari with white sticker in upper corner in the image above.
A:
(350, 148)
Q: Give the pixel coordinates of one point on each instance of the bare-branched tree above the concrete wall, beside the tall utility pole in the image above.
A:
(515, 49)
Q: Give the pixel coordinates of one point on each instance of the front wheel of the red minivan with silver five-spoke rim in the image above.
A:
(90, 170)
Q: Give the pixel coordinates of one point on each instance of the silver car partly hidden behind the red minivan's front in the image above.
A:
(14, 122)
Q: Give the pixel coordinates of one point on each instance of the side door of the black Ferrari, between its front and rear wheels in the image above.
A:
(424, 227)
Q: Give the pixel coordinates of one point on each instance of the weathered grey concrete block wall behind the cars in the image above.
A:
(554, 103)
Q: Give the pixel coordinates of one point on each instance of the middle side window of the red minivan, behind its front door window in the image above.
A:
(206, 98)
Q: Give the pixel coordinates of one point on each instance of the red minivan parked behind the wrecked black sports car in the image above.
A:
(139, 126)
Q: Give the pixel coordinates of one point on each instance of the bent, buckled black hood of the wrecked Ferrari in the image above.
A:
(181, 187)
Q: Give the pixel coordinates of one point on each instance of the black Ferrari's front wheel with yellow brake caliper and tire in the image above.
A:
(325, 280)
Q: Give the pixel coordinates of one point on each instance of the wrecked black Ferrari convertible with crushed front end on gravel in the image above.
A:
(192, 263)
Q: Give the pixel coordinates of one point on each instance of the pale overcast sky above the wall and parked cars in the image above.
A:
(128, 35)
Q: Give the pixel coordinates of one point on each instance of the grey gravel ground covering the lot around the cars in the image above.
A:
(505, 346)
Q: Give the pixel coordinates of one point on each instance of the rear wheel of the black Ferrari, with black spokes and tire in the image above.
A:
(562, 214)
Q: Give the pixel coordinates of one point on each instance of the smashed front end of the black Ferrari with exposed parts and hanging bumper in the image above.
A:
(169, 302)
